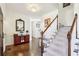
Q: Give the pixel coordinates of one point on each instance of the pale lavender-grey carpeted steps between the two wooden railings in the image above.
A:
(59, 44)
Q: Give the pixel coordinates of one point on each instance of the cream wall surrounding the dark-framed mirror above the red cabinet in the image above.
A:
(10, 27)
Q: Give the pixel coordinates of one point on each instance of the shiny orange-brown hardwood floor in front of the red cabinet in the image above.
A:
(18, 50)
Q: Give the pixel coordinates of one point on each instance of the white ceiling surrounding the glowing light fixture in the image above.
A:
(22, 8)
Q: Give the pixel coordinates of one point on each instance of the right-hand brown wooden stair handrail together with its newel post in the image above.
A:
(69, 35)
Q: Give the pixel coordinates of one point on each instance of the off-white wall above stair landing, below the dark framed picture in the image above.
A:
(65, 14)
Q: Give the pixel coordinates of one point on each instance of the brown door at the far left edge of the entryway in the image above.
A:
(1, 31)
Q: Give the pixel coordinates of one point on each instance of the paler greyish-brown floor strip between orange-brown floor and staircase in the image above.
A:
(35, 48)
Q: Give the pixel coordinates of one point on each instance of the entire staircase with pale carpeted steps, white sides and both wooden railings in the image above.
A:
(57, 40)
